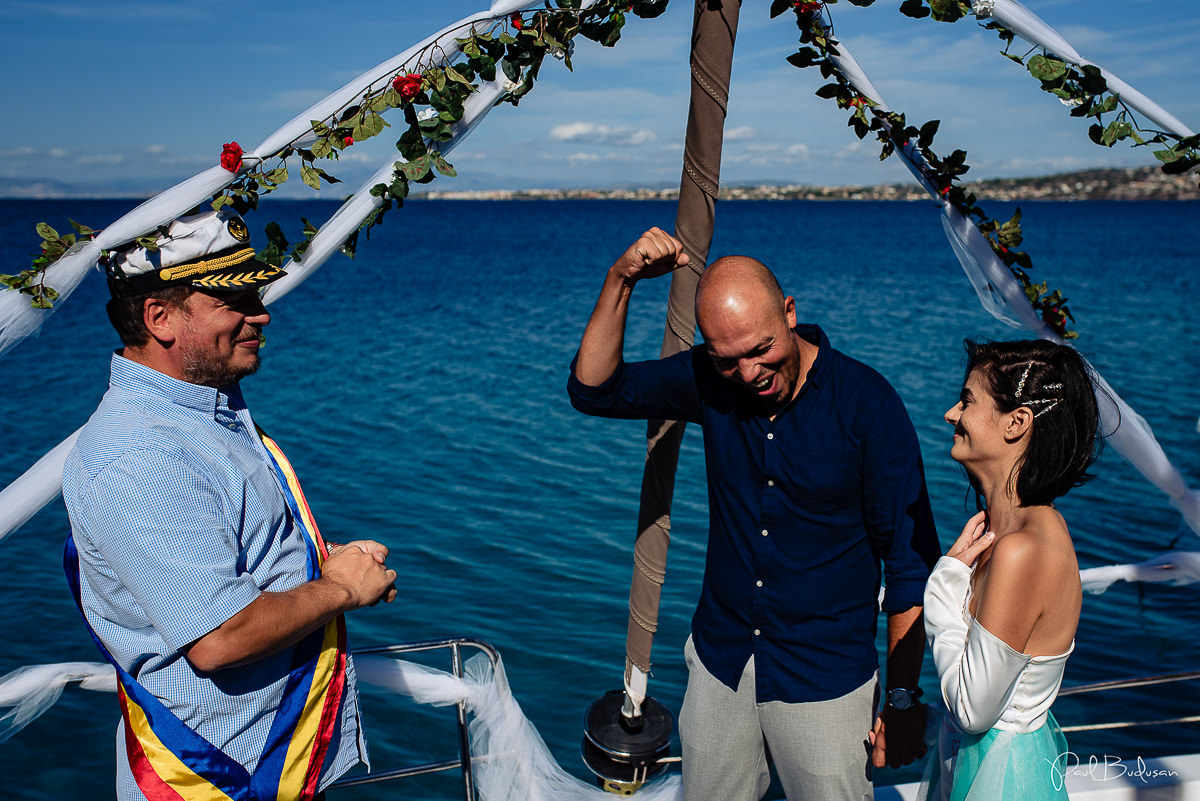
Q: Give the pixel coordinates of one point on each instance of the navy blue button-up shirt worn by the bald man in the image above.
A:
(802, 511)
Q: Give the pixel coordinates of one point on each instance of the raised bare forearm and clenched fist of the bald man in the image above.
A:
(655, 254)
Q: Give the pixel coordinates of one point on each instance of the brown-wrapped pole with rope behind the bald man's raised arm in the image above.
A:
(715, 31)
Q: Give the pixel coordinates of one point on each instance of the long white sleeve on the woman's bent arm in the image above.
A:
(979, 672)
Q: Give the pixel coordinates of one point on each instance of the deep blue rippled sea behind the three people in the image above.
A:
(419, 392)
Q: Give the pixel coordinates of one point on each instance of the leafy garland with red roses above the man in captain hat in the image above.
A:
(514, 46)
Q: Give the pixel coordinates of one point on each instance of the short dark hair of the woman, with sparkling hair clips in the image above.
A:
(1058, 386)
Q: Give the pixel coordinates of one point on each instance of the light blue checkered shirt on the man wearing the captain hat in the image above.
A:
(181, 523)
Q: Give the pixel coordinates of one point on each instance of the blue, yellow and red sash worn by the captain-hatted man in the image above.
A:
(171, 762)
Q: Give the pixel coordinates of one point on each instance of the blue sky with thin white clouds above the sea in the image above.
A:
(131, 98)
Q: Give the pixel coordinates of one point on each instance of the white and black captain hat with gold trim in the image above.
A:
(208, 251)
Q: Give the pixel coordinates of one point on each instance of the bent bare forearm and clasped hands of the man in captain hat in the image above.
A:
(353, 577)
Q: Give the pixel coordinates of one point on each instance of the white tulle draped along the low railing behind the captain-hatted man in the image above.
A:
(509, 760)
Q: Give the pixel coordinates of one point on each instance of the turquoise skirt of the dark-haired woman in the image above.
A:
(998, 766)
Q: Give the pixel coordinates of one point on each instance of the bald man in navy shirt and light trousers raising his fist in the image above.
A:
(814, 480)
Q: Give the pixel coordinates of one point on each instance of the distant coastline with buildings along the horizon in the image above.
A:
(1105, 184)
